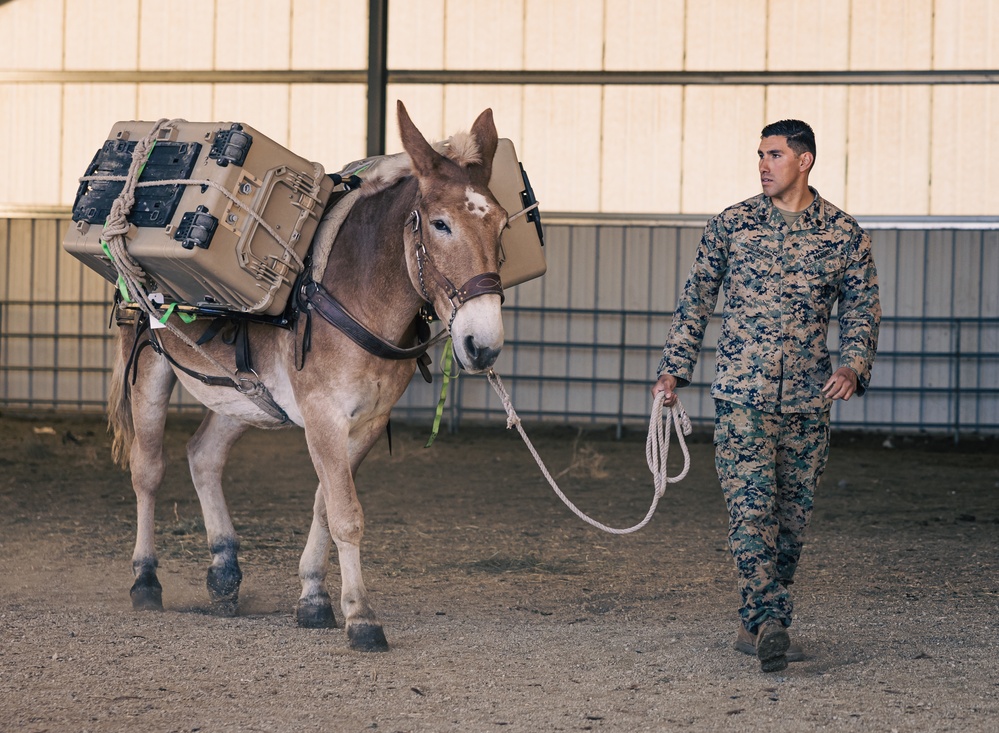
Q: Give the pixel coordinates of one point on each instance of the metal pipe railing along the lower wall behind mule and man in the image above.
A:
(569, 365)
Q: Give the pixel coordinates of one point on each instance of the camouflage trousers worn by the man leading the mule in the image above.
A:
(769, 466)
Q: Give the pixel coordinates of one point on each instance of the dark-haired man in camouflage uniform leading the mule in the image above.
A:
(784, 258)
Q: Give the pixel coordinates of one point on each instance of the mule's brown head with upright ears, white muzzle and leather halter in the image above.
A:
(453, 237)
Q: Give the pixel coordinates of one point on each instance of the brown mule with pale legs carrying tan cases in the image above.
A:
(402, 246)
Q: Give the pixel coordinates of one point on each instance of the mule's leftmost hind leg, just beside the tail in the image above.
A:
(149, 397)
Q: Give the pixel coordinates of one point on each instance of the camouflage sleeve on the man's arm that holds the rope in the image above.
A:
(696, 304)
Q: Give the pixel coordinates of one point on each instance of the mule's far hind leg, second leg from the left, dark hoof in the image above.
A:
(207, 453)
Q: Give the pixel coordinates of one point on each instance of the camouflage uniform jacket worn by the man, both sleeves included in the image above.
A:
(780, 285)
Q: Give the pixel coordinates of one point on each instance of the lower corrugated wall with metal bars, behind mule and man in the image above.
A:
(583, 342)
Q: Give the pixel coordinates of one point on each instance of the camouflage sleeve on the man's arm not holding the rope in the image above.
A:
(859, 313)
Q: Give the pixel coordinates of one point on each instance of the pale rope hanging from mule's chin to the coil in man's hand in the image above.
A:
(656, 451)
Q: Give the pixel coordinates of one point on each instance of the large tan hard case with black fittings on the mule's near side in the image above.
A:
(243, 268)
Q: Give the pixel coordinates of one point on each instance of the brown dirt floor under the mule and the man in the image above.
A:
(503, 610)
